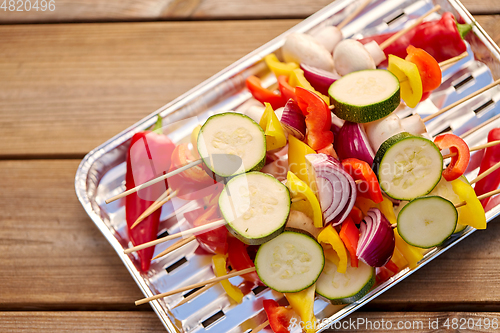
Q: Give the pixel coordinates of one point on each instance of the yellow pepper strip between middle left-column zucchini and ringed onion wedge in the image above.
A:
(310, 205)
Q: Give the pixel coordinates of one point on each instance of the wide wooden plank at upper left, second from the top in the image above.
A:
(72, 87)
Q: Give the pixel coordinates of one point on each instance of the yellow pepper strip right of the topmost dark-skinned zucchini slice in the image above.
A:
(409, 79)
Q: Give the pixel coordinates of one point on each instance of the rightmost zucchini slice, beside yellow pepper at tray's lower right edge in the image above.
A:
(427, 221)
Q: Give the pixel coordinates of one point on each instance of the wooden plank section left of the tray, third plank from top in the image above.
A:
(53, 256)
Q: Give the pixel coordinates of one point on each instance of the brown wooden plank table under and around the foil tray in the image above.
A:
(65, 88)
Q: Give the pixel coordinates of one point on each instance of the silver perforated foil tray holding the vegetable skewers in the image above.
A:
(101, 173)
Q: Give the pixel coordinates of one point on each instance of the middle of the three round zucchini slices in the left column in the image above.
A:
(255, 206)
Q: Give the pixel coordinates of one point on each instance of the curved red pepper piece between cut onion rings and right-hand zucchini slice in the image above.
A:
(369, 186)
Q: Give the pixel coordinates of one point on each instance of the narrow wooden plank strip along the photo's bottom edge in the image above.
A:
(134, 322)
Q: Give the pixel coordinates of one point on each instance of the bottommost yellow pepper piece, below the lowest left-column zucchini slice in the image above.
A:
(302, 303)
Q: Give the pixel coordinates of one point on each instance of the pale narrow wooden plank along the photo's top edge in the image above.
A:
(148, 10)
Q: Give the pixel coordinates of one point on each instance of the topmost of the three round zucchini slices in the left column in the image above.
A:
(231, 143)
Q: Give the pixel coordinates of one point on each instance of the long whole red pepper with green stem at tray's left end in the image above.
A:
(148, 157)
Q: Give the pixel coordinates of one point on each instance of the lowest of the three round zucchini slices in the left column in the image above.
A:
(290, 262)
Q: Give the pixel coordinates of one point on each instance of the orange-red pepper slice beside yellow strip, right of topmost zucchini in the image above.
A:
(428, 68)
